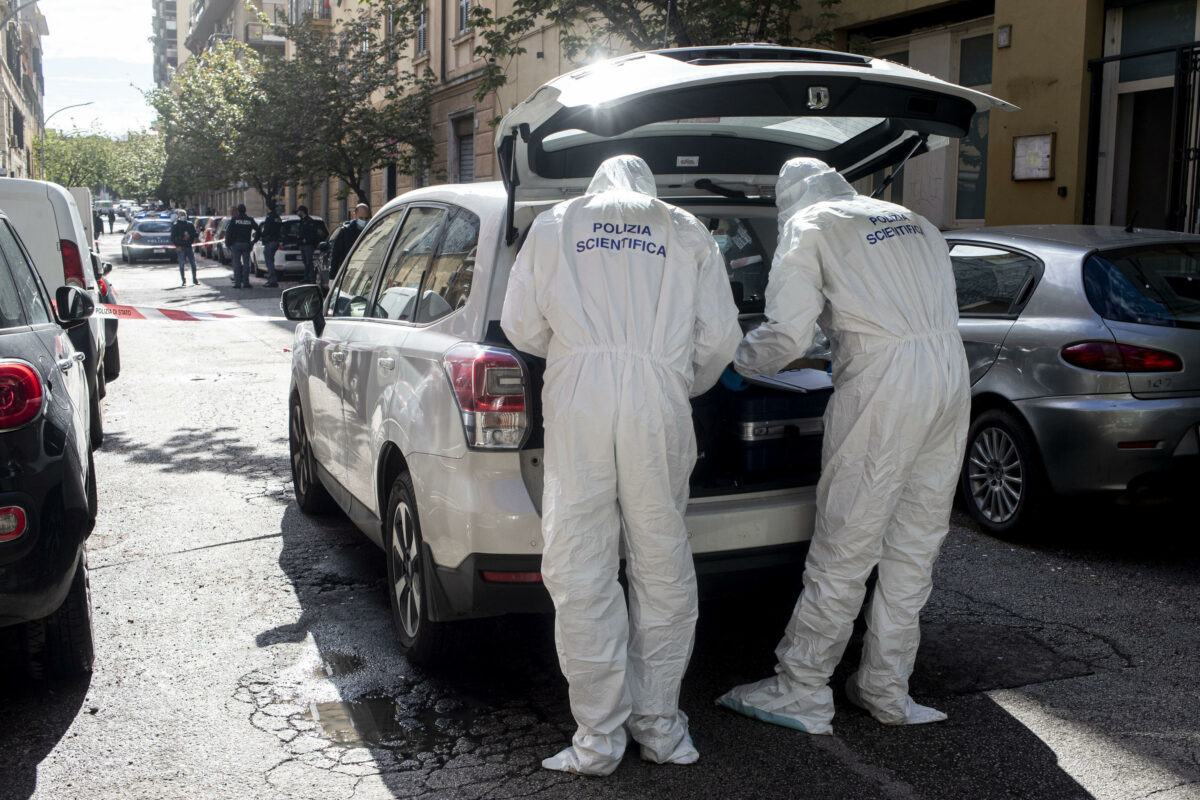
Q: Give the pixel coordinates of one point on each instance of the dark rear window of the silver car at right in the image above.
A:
(1159, 285)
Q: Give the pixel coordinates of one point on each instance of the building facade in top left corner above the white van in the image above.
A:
(23, 88)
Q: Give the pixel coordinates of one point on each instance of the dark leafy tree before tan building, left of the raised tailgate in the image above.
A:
(349, 103)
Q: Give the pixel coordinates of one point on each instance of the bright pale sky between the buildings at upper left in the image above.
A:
(99, 51)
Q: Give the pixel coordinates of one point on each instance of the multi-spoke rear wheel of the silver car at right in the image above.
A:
(1001, 480)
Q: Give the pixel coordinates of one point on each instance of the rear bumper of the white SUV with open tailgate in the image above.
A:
(493, 526)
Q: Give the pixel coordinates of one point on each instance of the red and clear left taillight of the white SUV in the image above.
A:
(490, 387)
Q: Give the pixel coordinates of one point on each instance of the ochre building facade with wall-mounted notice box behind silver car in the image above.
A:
(1109, 97)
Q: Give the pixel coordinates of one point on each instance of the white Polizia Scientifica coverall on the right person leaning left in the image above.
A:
(879, 279)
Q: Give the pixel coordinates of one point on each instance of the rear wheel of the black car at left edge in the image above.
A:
(61, 646)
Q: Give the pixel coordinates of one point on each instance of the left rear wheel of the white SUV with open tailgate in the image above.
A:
(423, 641)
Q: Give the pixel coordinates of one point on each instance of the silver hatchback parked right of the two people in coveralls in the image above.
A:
(1084, 345)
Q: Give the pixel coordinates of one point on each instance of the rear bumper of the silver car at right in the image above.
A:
(1114, 443)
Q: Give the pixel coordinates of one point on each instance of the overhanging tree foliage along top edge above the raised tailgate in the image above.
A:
(591, 27)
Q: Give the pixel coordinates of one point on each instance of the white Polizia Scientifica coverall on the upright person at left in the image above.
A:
(628, 300)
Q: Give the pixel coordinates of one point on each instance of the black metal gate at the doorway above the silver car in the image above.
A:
(1183, 184)
